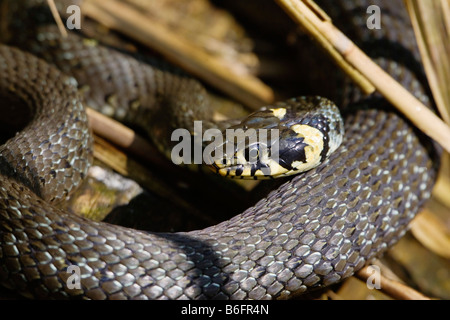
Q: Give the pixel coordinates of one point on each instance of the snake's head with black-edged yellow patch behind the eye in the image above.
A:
(278, 141)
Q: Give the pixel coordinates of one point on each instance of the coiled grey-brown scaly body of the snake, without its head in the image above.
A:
(315, 230)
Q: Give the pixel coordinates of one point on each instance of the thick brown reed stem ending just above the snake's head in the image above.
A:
(117, 15)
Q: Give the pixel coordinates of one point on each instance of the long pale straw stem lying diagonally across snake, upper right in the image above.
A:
(419, 114)
